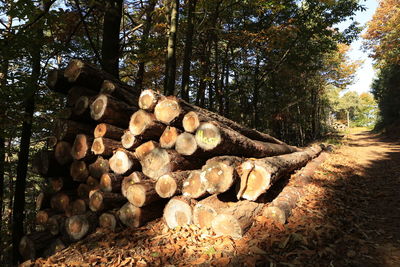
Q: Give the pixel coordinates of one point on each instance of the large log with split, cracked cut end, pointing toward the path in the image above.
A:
(258, 175)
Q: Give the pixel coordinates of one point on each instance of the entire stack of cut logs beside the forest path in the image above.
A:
(122, 158)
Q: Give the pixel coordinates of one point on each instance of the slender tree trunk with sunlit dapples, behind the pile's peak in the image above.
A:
(170, 70)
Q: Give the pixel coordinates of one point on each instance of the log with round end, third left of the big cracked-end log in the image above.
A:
(171, 184)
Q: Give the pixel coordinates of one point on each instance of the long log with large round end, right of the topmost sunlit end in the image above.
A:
(173, 109)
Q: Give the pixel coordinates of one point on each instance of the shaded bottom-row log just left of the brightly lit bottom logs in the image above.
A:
(132, 216)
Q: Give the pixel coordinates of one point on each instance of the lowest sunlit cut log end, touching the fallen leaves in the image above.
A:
(224, 224)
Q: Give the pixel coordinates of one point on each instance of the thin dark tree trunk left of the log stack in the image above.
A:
(23, 155)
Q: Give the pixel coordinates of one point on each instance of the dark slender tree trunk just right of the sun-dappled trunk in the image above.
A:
(188, 50)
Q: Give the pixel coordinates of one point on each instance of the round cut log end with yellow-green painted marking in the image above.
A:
(208, 136)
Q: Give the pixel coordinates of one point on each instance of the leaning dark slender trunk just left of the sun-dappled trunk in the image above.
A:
(143, 44)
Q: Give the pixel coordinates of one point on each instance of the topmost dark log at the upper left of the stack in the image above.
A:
(85, 74)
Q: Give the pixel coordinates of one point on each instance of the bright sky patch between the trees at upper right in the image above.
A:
(365, 73)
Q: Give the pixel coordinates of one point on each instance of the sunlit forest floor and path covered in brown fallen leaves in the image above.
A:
(350, 216)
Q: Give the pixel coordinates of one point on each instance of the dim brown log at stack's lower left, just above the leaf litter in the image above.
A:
(78, 226)
